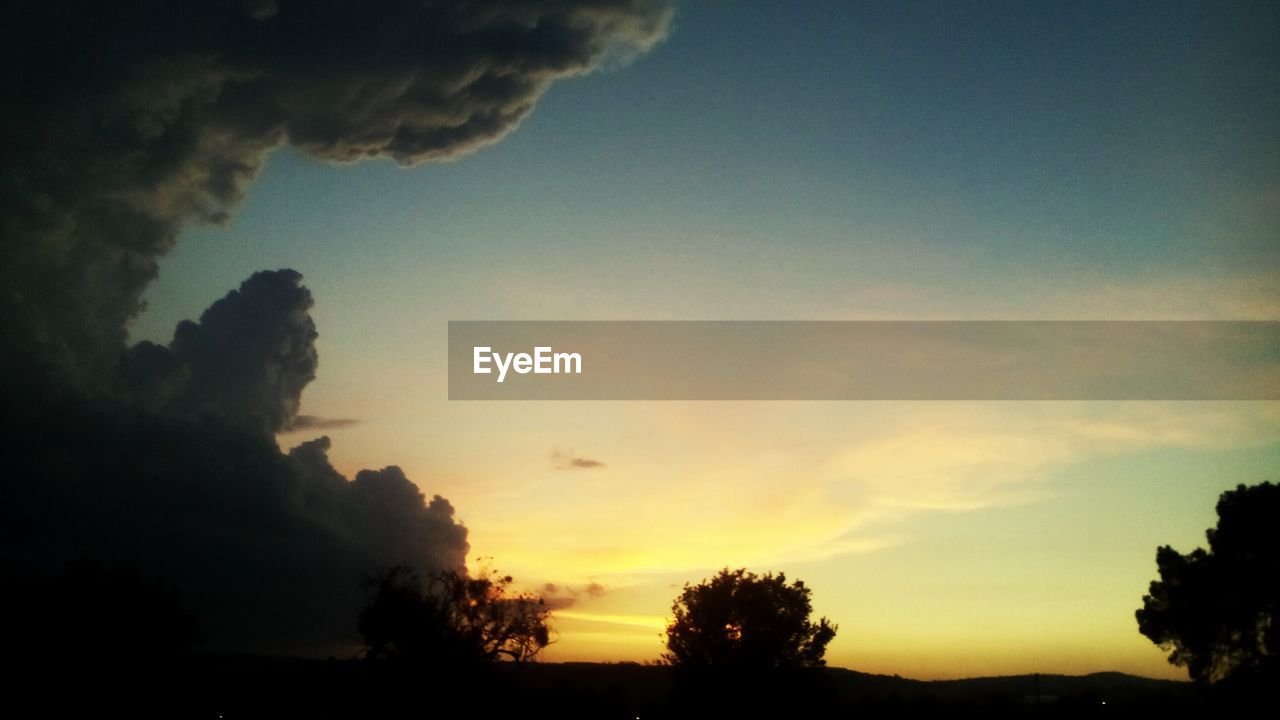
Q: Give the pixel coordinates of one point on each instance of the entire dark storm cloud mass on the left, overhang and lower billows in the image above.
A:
(122, 122)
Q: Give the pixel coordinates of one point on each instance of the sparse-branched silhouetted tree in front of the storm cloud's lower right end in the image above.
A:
(451, 617)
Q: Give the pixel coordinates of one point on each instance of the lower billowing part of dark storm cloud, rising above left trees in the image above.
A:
(176, 470)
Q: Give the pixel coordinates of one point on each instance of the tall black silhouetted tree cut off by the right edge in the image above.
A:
(1217, 610)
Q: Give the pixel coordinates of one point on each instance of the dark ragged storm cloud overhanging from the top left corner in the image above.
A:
(125, 120)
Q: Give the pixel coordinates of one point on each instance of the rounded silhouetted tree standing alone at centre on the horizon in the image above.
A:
(747, 622)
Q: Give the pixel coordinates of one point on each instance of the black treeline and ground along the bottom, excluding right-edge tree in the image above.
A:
(100, 639)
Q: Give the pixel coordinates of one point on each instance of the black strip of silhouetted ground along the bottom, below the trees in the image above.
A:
(232, 687)
